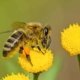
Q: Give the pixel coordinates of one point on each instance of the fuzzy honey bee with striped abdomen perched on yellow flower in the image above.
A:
(30, 34)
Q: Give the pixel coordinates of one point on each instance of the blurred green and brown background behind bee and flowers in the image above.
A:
(59, 14)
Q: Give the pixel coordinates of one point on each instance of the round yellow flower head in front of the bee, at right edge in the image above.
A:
(70, 39)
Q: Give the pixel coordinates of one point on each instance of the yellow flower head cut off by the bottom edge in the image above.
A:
(15, 77)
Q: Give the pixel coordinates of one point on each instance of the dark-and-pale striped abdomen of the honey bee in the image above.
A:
(12, 42)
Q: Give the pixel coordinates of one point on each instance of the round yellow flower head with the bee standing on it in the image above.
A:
(38, 61)
